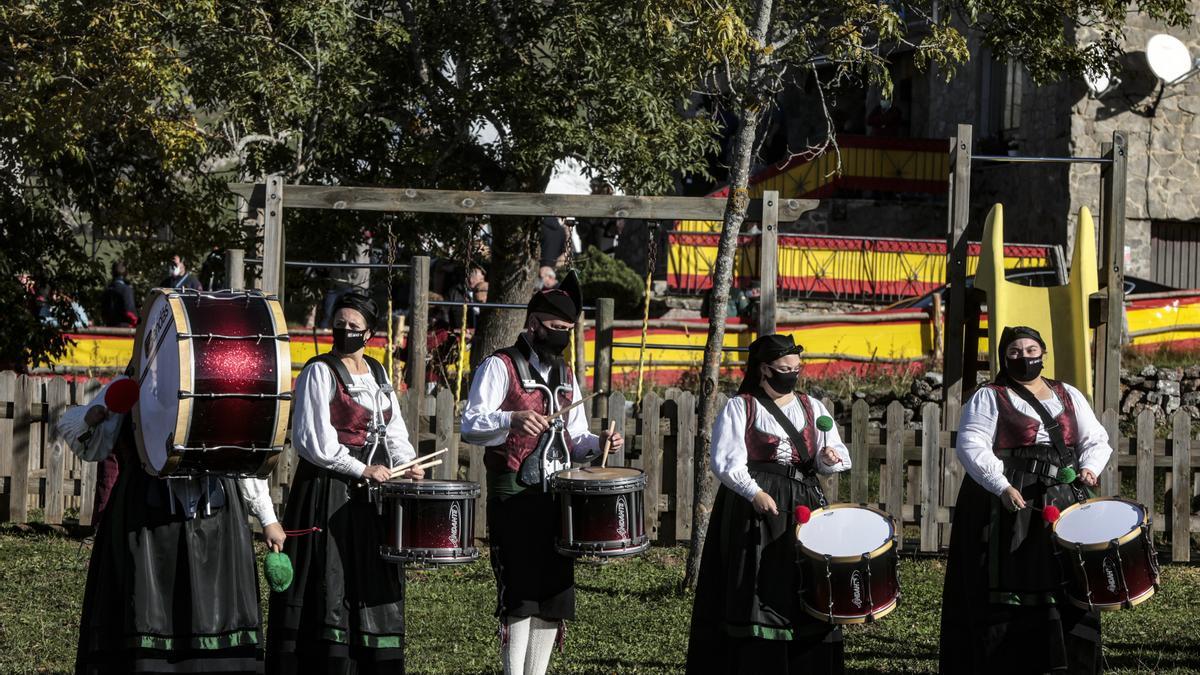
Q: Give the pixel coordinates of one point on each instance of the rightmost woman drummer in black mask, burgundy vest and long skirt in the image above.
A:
(1030, 446)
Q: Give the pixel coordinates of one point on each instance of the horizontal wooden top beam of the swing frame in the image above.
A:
(518, 204)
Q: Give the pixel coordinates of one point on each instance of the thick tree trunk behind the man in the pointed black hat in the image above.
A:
(515, 252)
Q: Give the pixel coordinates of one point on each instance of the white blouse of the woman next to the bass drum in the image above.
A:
(314, 434)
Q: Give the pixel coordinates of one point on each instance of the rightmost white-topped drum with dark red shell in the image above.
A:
(1108, 555)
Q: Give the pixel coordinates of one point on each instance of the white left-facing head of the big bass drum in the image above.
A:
(164, 367)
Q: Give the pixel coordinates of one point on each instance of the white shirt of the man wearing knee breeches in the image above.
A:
(485, 425)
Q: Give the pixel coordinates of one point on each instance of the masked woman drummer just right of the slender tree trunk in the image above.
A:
(767, 453)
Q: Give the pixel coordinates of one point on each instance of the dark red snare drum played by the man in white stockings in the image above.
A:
(603, 512)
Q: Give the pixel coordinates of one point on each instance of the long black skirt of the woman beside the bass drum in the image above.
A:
(345, 611)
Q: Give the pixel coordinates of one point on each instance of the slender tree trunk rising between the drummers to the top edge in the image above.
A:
(723, 277)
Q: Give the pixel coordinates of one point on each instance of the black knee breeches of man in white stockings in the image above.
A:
(532, 580)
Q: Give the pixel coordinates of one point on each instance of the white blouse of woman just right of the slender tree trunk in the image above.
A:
(729, 449)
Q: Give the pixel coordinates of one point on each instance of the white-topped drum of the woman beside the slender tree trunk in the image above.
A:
(850, 564)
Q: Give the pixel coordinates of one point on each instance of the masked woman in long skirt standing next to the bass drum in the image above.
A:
(345, 611)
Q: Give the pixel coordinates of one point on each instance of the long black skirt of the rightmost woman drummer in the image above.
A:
(1004, 610)
